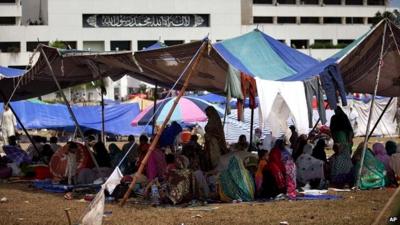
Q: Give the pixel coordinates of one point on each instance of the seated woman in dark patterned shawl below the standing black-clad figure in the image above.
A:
(341, 167)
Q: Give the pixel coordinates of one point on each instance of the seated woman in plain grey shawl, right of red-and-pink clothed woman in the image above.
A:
(309, 169)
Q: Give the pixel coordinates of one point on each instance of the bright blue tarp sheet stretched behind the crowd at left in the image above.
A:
(56, 116)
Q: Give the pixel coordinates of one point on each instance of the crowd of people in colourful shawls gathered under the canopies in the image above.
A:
(214, 170)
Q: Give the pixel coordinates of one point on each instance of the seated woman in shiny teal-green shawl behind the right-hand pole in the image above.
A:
(373, 173)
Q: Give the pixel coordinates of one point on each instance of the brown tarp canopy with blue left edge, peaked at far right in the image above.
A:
(359, 62)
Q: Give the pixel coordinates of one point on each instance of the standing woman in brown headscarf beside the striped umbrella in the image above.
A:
(215, 144)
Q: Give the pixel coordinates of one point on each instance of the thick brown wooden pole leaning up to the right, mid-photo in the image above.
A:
(192, 65)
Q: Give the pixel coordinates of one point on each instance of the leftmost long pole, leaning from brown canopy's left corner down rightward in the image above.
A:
(69, 108)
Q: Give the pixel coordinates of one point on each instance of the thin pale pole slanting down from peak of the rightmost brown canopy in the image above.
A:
(372, 107)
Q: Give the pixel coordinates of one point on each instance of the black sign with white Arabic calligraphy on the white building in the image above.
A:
(146, 20)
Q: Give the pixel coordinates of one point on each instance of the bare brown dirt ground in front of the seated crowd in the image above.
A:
(30, 206)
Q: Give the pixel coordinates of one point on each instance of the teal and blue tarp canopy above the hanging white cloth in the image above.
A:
(260, 55)
